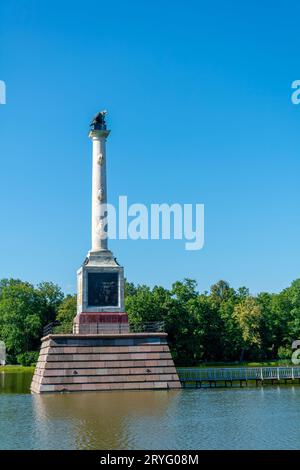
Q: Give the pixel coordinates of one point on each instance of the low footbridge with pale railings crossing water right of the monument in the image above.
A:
(229, 376)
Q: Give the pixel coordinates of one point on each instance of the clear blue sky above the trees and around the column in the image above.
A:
(198, 95)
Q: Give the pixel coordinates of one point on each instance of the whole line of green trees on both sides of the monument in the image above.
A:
(224, 324)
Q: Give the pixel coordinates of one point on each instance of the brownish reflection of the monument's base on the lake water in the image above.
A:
(99, 420)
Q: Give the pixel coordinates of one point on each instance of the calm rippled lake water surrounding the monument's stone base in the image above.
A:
(248, 418)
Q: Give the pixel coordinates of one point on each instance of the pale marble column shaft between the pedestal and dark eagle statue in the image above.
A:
(99, 189)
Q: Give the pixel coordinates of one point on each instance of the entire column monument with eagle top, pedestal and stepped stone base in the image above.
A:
(102, 354)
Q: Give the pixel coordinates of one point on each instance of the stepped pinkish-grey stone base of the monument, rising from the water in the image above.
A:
(130, 361)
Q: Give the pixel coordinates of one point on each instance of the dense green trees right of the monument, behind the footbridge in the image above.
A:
(222, 325)
